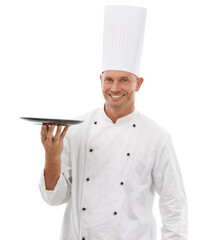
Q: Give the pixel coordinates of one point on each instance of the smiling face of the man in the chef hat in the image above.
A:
(119, 89)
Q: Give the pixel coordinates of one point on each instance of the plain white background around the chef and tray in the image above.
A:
(50, 60)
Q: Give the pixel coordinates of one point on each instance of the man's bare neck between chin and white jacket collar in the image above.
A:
(115, 114)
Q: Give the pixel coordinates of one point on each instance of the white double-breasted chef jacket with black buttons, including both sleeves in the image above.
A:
(109, 175)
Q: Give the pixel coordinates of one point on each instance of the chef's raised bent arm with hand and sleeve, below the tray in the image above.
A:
(55, 182)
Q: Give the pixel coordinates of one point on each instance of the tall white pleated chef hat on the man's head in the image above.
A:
(123, 36)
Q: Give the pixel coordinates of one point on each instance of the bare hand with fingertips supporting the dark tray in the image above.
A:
(53, 144)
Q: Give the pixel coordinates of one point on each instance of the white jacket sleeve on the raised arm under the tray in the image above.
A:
(62, 191)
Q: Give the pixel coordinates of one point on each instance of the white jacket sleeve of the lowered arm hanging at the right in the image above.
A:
(172, 198)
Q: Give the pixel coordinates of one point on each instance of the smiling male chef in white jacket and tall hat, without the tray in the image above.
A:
(108, 168)
